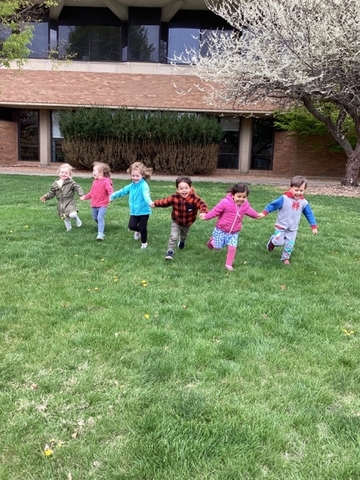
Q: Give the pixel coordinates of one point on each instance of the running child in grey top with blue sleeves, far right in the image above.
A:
(290, 206)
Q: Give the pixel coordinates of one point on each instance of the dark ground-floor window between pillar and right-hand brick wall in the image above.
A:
(262, 144)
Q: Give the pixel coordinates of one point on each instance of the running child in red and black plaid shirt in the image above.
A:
(185, 206)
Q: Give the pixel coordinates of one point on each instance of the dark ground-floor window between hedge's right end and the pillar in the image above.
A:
(229, 147)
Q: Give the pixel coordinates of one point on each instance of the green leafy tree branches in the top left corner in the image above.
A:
(15, 31)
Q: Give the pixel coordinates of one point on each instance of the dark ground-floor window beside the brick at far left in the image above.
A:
(28, 121)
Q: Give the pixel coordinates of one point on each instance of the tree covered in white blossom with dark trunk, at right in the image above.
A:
(305, 52)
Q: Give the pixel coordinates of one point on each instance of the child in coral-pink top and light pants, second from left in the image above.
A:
(100, 191)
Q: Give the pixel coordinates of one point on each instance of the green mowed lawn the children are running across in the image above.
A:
(118, 365)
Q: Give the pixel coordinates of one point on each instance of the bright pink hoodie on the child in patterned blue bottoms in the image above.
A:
(230, 215)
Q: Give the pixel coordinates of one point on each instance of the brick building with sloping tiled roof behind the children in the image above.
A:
(122, 58)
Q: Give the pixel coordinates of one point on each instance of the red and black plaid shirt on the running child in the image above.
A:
(184, 210)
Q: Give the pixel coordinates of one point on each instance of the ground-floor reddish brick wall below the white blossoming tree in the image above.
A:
(295, 156)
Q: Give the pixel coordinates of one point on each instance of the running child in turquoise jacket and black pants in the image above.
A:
(139, 200)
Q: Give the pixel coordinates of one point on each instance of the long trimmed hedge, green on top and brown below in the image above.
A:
(169, 142)
